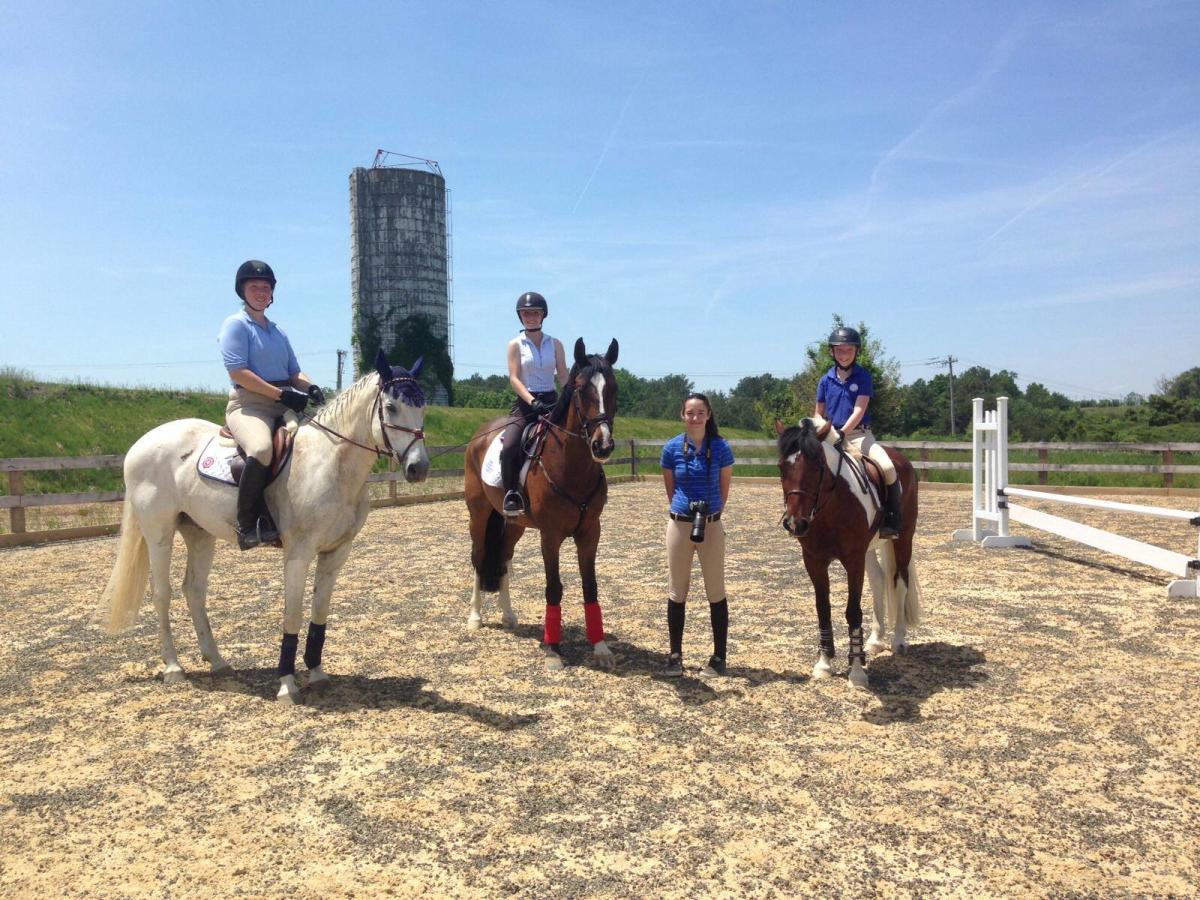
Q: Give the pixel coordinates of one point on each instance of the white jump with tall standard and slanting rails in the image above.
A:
(992, 509)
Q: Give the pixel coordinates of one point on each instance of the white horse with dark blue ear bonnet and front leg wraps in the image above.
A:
(320, 502)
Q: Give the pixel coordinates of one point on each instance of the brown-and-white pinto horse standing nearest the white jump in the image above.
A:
(830, 509)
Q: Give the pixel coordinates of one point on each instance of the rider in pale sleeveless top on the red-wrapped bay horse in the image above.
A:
(535, 361)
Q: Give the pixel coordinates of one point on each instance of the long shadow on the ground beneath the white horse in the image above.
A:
(351, 693)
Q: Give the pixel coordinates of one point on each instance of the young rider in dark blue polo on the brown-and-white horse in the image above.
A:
(843, 397)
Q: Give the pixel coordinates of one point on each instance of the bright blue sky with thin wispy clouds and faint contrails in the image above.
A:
(1016, 185)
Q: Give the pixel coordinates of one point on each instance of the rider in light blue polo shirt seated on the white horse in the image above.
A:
(267, 380)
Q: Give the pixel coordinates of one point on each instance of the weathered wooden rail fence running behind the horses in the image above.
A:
(639, 463)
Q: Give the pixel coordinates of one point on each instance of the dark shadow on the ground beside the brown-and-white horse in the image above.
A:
(902, 683)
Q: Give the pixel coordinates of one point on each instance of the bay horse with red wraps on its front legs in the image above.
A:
(567, 491)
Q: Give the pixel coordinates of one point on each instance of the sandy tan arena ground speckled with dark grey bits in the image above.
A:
(1040, 739)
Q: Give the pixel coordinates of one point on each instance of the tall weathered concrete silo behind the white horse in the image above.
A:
(400, 250)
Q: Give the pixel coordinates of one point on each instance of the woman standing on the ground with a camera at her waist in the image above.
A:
(698, 467)
